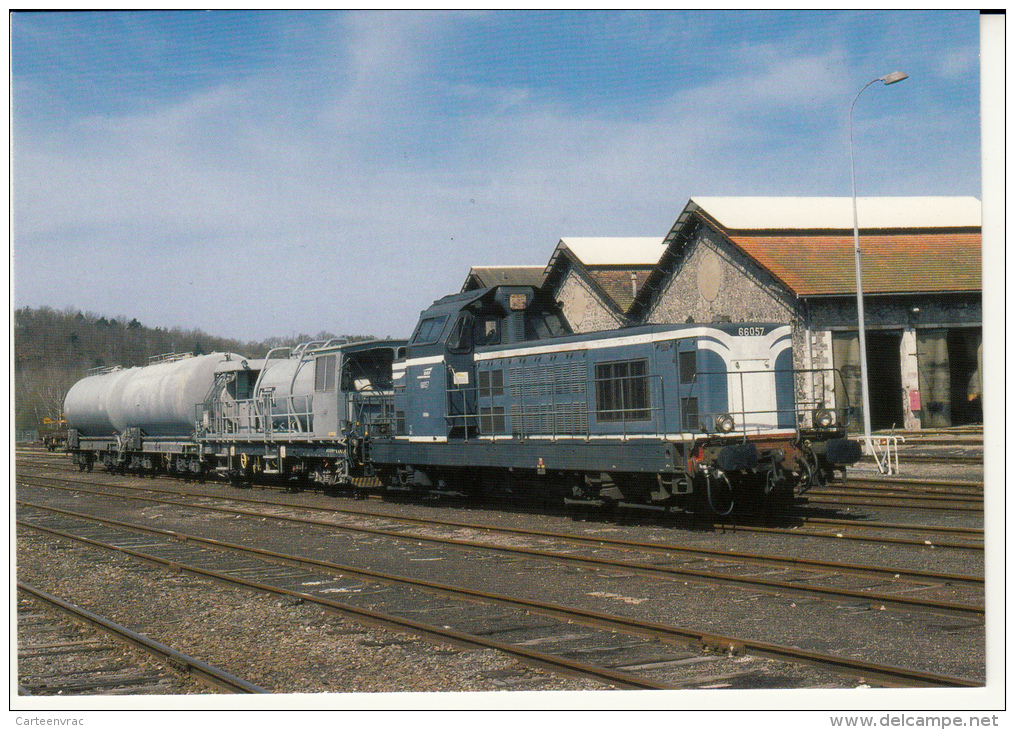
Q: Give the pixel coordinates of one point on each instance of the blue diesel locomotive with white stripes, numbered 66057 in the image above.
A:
(497, 396)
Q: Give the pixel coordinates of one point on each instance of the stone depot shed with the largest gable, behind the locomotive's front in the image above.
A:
(791, 260)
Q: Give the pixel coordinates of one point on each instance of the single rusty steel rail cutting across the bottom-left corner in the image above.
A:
(178, 660)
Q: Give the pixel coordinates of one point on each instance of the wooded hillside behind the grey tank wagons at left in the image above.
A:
(54, 350)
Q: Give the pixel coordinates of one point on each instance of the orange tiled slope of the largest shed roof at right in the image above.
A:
(896, 263)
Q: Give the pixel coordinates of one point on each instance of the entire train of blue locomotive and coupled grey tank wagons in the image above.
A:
(492, 395)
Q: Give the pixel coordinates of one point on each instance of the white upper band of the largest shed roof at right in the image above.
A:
(801, 214)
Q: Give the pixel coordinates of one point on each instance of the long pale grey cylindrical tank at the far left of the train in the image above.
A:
(161, 399)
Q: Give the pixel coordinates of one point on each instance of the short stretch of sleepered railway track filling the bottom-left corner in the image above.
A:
(64, 649)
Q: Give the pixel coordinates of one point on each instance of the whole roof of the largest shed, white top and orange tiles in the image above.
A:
(909, 245)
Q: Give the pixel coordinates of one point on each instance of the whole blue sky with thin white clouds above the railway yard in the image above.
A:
(258, 174)
